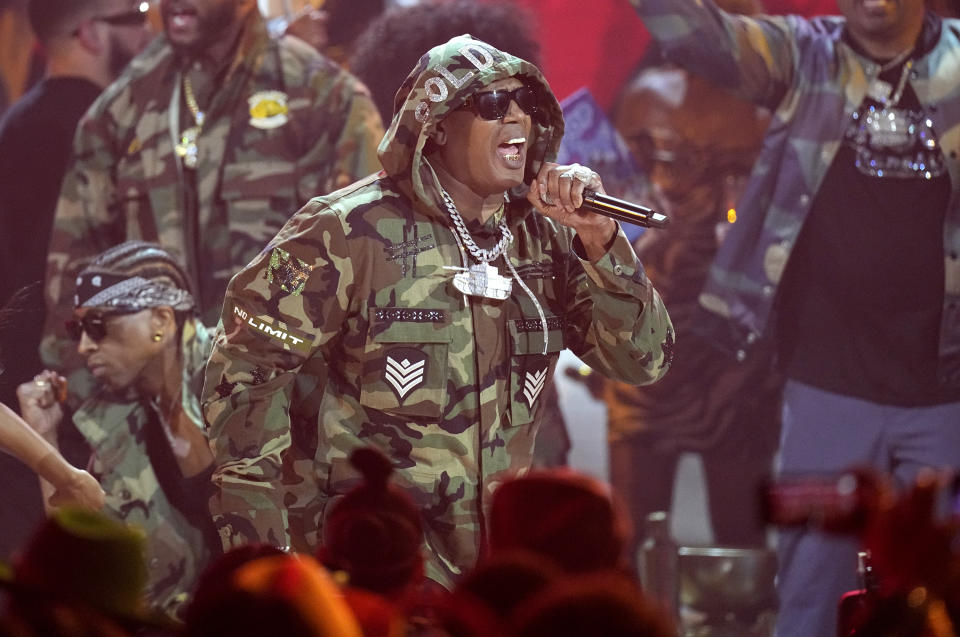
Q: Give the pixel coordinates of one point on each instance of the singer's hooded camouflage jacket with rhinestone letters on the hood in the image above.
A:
(448, 386)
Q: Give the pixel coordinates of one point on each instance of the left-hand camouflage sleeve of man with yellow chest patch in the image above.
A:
(84, 225)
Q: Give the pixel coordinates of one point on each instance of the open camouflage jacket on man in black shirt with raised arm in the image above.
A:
(813, 80)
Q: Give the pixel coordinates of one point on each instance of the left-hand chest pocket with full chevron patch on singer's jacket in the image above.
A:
(405, 362)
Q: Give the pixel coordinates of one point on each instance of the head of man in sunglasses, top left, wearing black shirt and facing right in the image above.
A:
(91, 38)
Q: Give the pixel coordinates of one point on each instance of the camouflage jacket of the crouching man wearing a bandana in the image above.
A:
(114, 429)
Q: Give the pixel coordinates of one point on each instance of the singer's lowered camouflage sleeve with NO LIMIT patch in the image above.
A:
(268, 332)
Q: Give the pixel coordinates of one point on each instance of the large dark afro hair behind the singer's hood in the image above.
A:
(393, 43)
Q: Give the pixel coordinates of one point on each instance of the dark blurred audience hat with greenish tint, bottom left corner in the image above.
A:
(81, 573)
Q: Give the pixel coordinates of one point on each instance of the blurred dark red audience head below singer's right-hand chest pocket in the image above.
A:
(565, 516)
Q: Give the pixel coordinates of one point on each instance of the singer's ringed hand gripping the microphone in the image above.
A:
(557, 192)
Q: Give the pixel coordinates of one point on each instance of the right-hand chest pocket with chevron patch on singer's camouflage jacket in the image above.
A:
(530, 369)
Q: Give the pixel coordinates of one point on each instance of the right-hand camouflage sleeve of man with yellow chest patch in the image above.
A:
(344, 104)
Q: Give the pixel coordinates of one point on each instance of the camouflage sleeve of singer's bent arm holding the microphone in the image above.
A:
(619, 325)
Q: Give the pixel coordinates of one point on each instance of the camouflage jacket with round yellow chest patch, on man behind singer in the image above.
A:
(284, 124)
